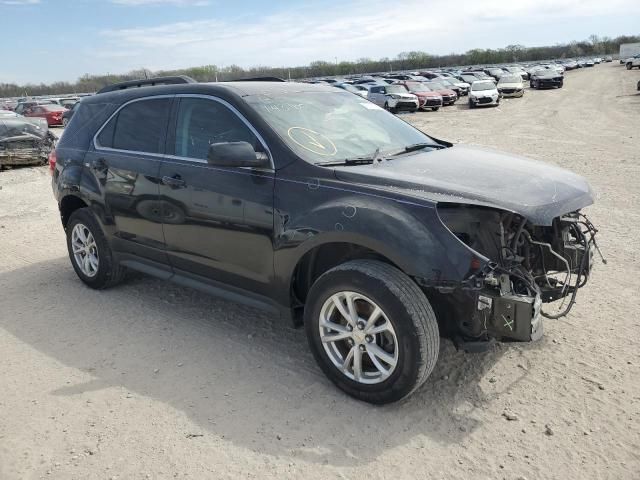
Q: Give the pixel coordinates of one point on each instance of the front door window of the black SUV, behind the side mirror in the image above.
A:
(202, 122)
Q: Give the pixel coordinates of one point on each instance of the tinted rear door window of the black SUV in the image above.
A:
(138, 127)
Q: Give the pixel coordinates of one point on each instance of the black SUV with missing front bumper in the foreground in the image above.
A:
(320, 206)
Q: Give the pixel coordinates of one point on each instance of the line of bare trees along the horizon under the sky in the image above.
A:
(414, 60)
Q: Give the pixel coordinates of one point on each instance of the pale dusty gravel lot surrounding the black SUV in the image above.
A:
(150, 380)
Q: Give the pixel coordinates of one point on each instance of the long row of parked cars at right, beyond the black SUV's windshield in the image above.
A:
(430, 90)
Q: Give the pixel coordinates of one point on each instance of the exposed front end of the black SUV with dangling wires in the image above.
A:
(519, 267)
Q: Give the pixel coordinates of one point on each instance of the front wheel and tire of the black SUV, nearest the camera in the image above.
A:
(372, 331)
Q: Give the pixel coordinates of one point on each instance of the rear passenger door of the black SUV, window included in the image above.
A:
(125, 164)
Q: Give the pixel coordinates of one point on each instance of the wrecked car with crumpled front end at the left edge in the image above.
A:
(24, 142)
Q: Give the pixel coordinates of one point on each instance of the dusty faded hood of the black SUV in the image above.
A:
(479, 176)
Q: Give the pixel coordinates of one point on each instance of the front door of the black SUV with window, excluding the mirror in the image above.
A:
(218, 221)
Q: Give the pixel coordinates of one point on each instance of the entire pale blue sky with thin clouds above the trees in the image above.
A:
(60, 40)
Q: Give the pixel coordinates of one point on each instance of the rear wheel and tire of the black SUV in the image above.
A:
(89, 251)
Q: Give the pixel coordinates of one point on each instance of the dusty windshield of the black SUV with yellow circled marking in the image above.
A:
(334, 126)
